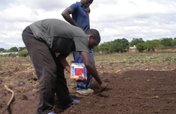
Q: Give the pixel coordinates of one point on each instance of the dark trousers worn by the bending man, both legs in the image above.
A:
(49, 71)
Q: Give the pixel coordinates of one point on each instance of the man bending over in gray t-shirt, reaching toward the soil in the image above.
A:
(43, 39)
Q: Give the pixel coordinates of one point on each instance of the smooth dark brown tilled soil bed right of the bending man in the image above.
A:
(133, 92)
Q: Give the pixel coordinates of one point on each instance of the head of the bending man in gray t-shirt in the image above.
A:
(93, 38)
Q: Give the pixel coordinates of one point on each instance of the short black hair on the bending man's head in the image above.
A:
(95, 34)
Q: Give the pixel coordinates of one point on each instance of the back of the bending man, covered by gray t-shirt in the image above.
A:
(55, 27)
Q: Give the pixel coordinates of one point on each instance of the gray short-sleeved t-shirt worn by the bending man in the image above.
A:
(50, 30)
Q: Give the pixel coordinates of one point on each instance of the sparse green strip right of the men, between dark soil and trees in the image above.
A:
(137, 61)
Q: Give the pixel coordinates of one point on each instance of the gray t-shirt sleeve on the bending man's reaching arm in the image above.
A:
(81, 44)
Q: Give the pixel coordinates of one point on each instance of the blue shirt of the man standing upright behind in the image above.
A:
(80, 16)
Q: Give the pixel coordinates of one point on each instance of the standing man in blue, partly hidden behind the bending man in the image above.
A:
(80, 18)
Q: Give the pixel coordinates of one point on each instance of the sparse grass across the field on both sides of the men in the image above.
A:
(115, 62)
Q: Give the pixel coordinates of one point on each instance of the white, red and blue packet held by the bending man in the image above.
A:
(78, 69)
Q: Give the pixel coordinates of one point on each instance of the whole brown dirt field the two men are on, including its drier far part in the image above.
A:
(146, 89)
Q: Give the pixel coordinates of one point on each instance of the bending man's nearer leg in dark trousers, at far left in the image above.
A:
(45, 67)
